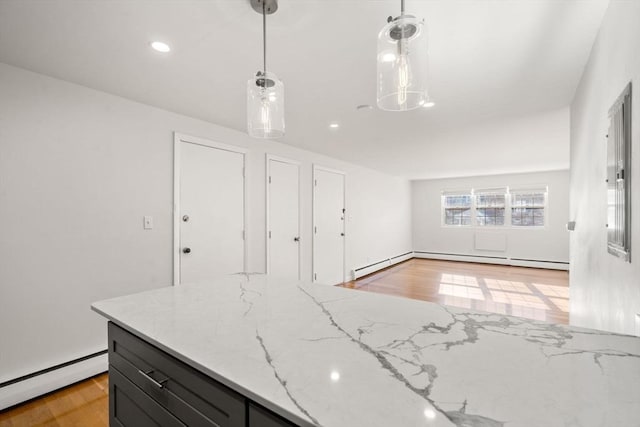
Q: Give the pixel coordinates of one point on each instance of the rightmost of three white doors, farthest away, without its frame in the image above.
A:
(328, 227)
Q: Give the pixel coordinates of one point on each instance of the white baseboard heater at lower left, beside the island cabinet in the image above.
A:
(38, 385)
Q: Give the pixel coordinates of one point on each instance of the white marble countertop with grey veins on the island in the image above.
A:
(322, 355)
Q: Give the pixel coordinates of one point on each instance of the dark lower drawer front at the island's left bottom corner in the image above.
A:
(131, 407)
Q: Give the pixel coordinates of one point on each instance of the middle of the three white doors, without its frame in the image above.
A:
(283, 228)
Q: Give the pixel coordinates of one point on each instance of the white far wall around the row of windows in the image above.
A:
(548, 244)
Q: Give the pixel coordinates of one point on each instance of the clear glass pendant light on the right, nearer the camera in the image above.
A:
(402, 63)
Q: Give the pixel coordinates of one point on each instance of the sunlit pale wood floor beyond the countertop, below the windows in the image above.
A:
(519, 291)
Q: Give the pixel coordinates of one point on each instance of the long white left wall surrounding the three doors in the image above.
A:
(78, 171)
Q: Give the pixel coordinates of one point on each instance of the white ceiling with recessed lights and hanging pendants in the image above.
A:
(489, 60)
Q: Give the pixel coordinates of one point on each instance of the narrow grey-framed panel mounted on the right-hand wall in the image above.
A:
(618, 165)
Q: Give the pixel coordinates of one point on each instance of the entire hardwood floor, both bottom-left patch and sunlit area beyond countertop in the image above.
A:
(525, 292)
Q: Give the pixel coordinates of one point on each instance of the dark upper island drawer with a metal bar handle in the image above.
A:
(189, 395)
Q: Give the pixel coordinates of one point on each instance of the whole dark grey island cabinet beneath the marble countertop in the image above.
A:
(150, 387)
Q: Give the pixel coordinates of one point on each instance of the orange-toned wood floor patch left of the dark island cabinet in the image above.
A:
(85, 404)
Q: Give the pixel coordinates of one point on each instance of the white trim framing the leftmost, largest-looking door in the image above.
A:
(177, 139)
